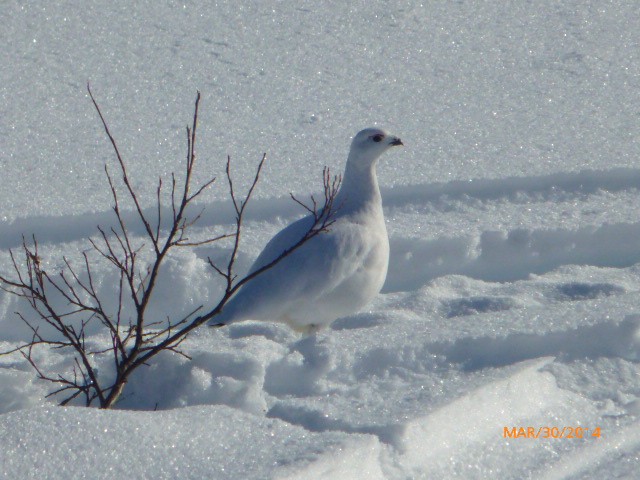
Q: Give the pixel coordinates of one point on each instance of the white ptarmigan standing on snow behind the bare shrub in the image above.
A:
(336, 272)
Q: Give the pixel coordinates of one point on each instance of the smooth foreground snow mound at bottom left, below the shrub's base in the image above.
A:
(56, 441)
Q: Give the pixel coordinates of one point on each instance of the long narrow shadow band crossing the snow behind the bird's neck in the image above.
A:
(55, 229)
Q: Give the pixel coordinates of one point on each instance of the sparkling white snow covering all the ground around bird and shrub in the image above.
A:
(512, 295)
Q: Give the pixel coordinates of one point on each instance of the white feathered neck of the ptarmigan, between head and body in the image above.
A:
(359, 190)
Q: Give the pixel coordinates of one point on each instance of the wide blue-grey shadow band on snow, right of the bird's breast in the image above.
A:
(497, 256)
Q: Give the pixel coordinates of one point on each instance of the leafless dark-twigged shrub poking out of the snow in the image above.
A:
(135, 338)
